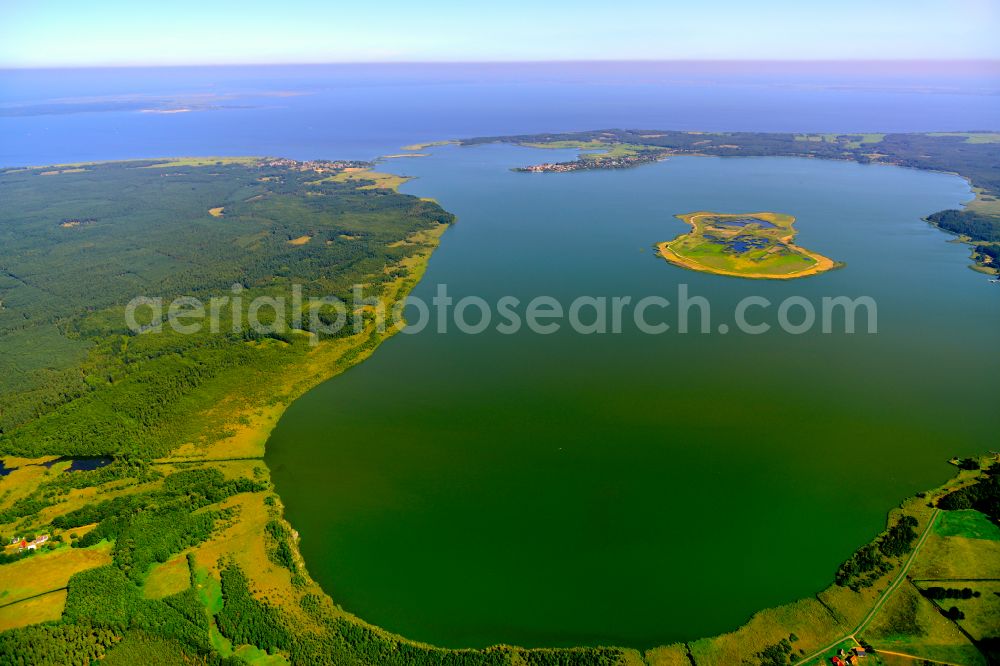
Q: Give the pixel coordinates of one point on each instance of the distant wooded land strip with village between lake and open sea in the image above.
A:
(972, 155)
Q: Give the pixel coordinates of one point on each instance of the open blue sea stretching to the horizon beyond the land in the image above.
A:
(361, 111)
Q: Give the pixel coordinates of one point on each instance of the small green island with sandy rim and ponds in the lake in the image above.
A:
(749, 245)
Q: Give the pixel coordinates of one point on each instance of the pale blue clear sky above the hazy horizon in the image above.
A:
(65, 33)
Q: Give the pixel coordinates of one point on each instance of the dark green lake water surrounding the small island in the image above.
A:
(634, 489)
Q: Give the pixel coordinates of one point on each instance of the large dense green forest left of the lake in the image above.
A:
(77, 246)
